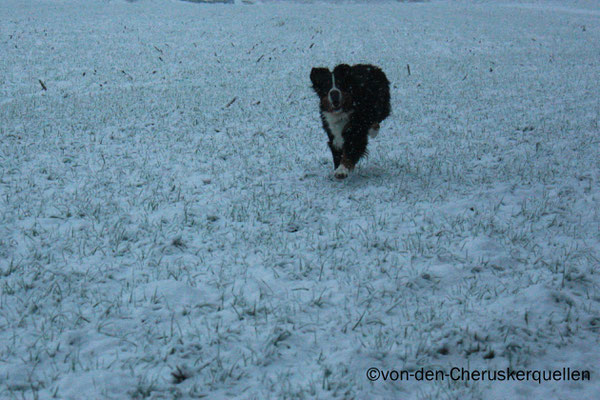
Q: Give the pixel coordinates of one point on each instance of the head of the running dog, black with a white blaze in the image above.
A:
(334, 88)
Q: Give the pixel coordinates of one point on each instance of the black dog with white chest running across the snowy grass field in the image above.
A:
(354, 100)
